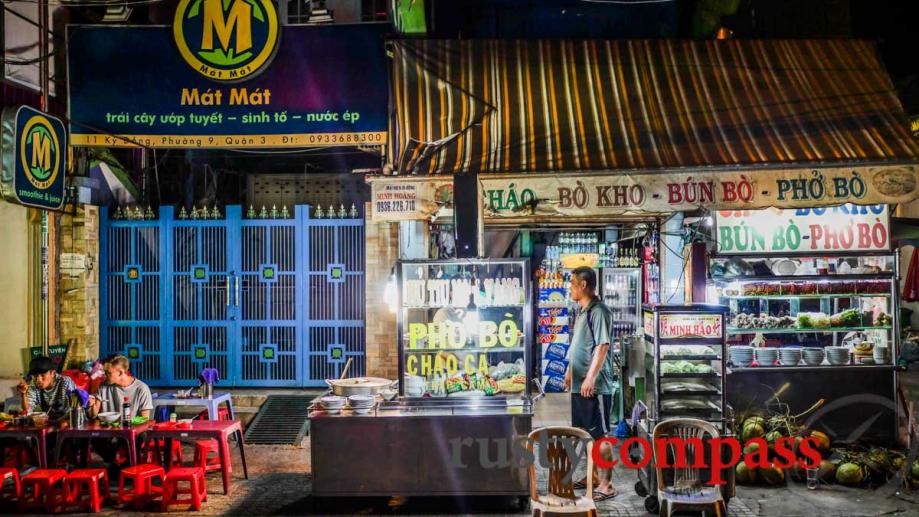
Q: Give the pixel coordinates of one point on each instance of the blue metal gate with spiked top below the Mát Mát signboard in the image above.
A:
(269, 302)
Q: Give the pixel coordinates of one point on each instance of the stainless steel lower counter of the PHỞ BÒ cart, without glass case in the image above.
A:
(415, 448)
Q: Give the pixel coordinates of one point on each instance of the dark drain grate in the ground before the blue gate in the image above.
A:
(282, 420)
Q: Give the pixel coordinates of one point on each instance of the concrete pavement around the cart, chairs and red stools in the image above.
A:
(279, 484)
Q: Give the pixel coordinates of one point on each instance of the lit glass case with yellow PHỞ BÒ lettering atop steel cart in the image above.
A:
(465, 328)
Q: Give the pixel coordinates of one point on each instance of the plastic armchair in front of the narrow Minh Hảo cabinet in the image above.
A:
(685, 488)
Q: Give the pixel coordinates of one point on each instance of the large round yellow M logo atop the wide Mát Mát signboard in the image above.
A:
(226, 40)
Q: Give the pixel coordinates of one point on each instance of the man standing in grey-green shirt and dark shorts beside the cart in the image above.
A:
(590, 371)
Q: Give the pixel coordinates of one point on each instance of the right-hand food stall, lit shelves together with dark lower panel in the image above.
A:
(810, 328)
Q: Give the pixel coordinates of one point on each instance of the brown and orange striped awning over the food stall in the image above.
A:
(546, 106)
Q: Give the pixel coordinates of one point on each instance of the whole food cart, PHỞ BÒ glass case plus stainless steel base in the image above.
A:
(464, 405)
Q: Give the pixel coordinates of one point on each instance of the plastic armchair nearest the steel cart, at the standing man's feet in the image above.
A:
(560, 497)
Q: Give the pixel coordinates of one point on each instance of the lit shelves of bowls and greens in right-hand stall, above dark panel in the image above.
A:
(818, 305)
